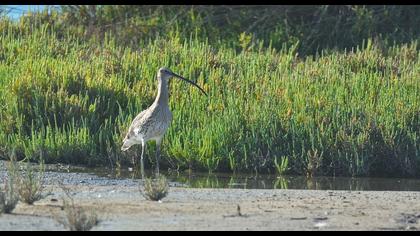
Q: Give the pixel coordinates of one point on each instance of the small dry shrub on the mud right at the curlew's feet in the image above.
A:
(155, 189)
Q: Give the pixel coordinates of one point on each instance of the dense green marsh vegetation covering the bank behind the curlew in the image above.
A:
(69, 92)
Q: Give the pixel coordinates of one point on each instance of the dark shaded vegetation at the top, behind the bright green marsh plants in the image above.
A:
(310, 28)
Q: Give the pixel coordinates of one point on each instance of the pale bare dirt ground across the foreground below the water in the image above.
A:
(124, 208)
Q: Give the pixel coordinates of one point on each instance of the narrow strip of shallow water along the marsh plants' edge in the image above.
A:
(243, 181)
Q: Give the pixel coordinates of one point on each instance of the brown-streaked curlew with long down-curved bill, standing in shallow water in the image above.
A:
(152, 123)
